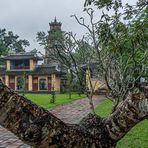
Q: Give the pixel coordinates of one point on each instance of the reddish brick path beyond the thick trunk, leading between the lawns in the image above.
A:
(75, 111)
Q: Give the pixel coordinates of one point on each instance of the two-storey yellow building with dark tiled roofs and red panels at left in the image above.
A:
(22, 72)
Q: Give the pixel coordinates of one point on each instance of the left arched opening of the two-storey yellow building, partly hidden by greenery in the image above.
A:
(20, 83)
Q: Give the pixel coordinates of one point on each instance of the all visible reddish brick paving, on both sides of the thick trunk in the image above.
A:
(69, 113)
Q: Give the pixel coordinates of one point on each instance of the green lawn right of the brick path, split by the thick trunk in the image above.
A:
(137, 137)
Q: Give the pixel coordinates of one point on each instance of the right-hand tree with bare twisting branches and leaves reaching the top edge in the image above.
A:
(119, 40)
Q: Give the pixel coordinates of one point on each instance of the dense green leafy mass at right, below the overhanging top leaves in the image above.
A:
(125, 45)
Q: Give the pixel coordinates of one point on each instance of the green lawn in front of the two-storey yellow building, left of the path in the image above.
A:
(44, 99)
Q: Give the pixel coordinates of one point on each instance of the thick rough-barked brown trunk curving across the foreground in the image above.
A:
(39, 128)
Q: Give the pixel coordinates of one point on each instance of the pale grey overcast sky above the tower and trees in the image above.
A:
(27, 17)
